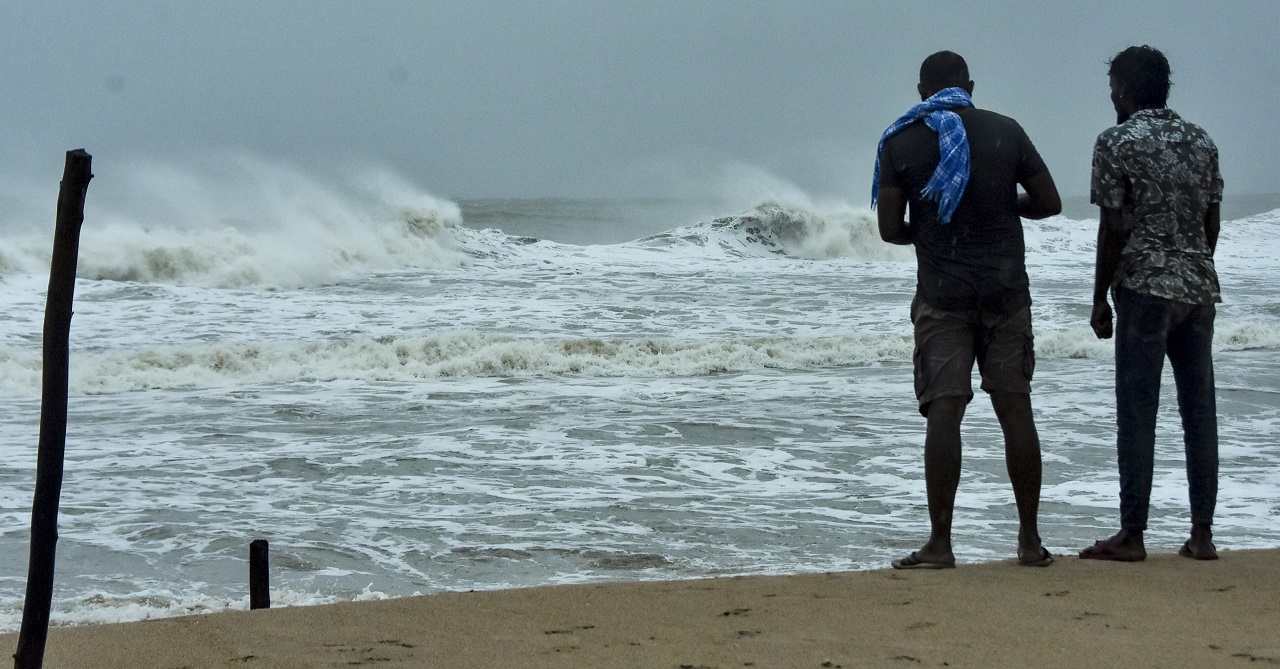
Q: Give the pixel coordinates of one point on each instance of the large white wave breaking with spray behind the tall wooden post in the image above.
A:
(243, 222)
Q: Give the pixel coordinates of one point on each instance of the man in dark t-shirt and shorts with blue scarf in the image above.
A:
(958, 169)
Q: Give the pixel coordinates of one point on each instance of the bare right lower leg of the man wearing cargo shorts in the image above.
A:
(1023, 461)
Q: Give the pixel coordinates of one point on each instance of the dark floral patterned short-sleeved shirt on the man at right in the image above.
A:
(1162, 173)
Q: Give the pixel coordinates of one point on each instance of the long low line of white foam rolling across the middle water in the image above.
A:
(478, 355)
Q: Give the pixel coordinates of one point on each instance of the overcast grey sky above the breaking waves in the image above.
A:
(605, 98)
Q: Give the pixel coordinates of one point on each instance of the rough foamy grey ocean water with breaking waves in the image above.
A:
(408, 395)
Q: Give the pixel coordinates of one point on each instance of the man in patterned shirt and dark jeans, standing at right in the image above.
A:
(1158, 184)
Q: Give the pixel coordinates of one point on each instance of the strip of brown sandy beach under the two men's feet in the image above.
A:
(1167, 612)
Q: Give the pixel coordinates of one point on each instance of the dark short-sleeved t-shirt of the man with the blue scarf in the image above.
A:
(979, 260)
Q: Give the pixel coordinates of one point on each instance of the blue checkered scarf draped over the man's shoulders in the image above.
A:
(952, 177)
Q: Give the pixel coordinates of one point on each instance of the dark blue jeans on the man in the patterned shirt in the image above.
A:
(1148, 331)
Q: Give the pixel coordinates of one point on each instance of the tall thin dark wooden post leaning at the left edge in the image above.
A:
(53, 414)
